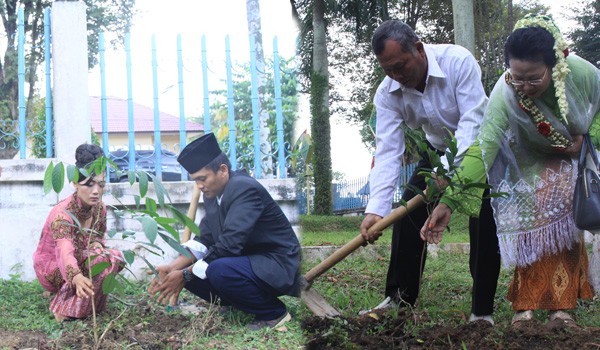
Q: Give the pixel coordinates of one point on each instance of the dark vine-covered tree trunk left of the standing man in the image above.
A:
(320, 127)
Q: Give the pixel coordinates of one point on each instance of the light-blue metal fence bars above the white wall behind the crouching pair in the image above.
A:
(14, 134)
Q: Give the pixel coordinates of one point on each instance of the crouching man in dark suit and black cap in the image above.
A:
(247, 254)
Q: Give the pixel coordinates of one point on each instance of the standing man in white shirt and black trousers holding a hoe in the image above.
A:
(436, 88)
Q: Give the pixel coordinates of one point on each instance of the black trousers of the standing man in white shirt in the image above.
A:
(407, 259)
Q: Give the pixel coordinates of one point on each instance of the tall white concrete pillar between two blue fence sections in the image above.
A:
(70, 78)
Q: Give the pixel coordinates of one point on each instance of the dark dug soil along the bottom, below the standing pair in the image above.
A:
(383, 331)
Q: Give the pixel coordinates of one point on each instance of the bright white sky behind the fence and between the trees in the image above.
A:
(216, 19)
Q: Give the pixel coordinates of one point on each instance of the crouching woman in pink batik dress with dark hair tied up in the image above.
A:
(60, 261)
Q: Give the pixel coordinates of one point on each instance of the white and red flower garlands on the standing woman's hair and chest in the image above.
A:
(559, 75)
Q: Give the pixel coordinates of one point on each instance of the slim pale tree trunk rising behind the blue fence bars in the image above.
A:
(254, 29)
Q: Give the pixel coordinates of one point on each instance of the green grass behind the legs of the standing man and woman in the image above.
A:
(358, 282)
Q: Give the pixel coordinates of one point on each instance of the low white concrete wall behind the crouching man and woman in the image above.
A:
(24, 208)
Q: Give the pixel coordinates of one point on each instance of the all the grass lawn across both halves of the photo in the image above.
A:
(356, 283)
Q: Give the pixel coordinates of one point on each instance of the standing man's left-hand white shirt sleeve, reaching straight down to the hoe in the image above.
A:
(389, 138)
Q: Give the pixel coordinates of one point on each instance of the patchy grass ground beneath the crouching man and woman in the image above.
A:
(24, 313)
